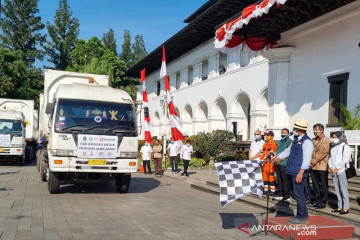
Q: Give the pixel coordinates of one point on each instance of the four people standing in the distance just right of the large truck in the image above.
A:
(173, 150)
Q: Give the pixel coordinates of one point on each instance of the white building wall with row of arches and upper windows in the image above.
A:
(298, 86)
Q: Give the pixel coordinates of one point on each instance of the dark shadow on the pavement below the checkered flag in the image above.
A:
(235, 220)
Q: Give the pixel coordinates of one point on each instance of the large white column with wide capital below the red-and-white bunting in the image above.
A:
(279, 62)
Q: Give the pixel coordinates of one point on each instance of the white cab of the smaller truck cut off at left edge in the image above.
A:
(12, 136)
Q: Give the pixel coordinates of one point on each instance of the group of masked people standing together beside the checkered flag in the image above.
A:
(294, 161)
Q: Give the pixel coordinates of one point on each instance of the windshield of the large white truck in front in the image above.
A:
(94, 116)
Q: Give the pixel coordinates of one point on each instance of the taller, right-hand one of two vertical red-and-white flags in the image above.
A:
(174, 119)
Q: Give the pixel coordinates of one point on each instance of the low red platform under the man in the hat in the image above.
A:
(319, 227)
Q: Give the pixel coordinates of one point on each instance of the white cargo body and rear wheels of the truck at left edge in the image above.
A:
(26, 107)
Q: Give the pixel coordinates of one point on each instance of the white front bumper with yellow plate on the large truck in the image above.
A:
(74, 164)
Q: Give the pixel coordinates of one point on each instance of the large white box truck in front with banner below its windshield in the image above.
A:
(88, 130)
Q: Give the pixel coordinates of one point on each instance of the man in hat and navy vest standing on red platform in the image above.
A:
(299, 157)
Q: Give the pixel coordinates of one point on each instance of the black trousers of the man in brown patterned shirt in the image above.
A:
(320, 184)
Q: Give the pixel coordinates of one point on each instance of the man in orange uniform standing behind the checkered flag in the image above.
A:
(268, 167)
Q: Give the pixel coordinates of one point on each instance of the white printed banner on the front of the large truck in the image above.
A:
(97, 146)
